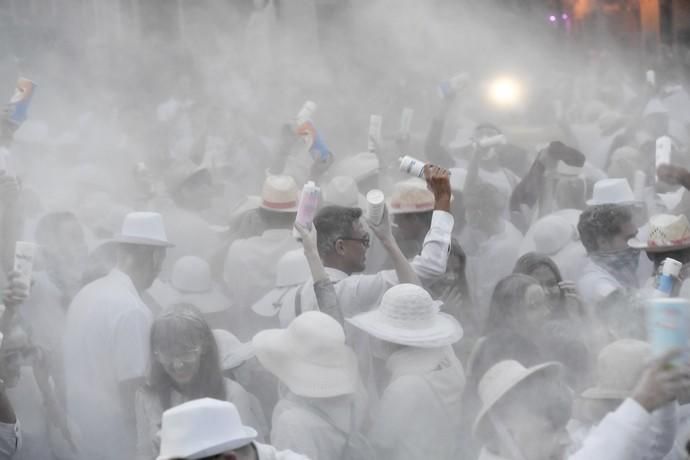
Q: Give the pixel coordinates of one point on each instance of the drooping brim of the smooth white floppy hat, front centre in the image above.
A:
(274, 352)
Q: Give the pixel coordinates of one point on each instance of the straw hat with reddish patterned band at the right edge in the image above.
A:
(666, 233)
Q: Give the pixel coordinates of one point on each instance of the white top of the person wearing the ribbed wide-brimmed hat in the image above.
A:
(420, 412)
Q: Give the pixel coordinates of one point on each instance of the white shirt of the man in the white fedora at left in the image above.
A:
(106, 344)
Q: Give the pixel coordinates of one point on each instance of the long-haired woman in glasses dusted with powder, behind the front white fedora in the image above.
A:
(185, 365)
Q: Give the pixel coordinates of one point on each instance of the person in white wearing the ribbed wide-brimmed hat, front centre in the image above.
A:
(420, 412)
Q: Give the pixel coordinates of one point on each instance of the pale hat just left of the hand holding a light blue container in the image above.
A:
(619, 367)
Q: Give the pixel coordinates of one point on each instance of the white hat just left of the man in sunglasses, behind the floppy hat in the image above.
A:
(292, 271)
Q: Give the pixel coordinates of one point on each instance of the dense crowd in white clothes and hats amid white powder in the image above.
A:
(496, 310)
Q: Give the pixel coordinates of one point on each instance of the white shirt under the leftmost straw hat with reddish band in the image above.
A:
(250, 265)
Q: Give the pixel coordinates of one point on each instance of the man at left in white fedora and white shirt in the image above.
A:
(106, 341)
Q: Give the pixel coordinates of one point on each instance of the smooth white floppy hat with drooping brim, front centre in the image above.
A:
(310, 356)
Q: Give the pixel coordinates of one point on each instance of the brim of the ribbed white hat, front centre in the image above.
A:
(445, 330)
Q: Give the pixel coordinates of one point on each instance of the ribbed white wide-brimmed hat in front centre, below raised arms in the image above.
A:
(409, 316)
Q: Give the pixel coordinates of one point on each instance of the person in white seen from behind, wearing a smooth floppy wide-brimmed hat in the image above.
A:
(321, 411)
